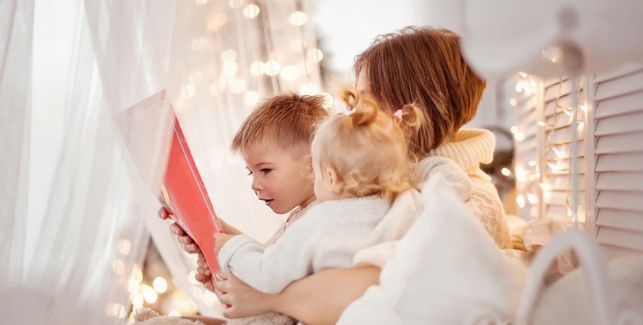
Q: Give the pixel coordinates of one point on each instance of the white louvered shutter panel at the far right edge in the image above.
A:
(617, 133)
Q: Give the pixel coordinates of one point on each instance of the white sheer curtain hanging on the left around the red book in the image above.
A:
(73, 209)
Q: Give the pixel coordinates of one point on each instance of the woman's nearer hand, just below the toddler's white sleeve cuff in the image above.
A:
(241, 299)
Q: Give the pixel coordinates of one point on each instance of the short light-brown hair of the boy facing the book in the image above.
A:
(288, 121)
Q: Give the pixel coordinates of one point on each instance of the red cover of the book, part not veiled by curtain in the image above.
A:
(185, 194)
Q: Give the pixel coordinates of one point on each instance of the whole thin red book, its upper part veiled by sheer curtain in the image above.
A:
(153, 135)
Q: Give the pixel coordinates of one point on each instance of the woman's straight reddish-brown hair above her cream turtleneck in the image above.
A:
(423, 66)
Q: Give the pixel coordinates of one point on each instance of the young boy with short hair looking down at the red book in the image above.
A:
(275, 143)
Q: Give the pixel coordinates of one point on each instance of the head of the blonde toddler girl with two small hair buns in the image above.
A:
(367, 148)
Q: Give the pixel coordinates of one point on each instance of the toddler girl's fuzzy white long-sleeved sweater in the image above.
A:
(326, 236)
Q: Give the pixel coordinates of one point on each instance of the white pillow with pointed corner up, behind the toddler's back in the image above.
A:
(446, 270)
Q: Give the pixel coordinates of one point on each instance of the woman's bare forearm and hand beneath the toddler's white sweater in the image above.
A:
(317, 299)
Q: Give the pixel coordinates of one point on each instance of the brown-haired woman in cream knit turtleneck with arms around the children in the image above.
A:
(416, 65)
